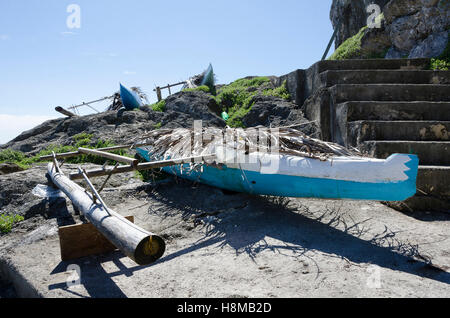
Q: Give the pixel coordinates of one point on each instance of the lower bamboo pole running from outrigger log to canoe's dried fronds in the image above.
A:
(140, 167)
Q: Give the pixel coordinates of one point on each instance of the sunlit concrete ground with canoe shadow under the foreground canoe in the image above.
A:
(224, 245)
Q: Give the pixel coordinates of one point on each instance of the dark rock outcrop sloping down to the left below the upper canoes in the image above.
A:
(182, 109)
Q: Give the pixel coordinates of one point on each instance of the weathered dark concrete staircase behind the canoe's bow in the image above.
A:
(384, 107)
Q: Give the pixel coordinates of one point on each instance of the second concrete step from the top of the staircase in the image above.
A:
(330, 78)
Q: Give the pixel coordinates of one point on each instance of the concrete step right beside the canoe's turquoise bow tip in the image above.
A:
(434, 180)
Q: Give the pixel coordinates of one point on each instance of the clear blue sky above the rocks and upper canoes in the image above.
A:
(44, 64)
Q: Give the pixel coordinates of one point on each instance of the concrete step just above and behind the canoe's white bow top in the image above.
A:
(431, 153)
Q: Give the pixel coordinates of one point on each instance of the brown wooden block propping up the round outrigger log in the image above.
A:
(83, 240)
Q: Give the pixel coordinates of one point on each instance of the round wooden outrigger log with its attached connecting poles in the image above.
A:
(141, 246)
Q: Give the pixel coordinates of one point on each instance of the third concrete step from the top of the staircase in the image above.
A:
(390, 92)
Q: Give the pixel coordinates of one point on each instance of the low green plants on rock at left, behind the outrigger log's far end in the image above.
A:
(80, 140)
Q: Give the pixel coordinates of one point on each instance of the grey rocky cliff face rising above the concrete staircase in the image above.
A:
(410, 28)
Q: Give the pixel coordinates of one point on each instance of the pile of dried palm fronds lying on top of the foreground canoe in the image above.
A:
(183, 143)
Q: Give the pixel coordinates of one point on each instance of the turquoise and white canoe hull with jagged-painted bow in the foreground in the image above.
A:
(393, 179)
